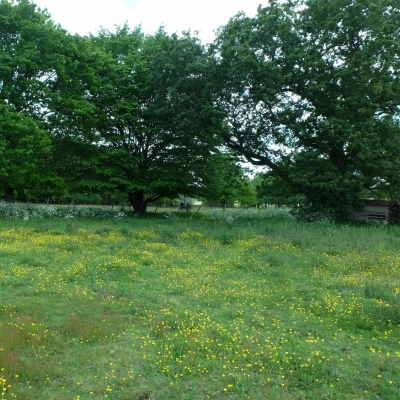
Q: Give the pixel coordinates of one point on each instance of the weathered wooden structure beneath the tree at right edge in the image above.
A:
(379, 210)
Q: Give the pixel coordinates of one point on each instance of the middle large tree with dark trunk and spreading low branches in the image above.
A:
(152, 122)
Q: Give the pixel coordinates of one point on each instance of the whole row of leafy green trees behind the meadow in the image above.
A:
(308, 89)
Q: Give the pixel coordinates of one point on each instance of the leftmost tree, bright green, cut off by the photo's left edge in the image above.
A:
(31, 62)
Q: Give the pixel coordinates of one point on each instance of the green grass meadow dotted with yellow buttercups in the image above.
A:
(191, 306)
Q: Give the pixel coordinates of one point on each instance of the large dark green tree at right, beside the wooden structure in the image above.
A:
(311, 91)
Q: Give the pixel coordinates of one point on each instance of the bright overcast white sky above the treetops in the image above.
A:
(84, 16)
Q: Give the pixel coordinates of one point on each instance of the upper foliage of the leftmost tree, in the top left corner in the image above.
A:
(31, 56)
